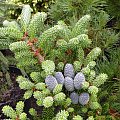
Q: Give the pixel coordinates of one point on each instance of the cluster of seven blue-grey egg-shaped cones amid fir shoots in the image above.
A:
(71, 82)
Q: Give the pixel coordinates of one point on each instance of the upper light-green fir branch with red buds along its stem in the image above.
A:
(32, 48)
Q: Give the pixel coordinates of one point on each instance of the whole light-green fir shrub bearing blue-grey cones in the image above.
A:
(60, 75)
